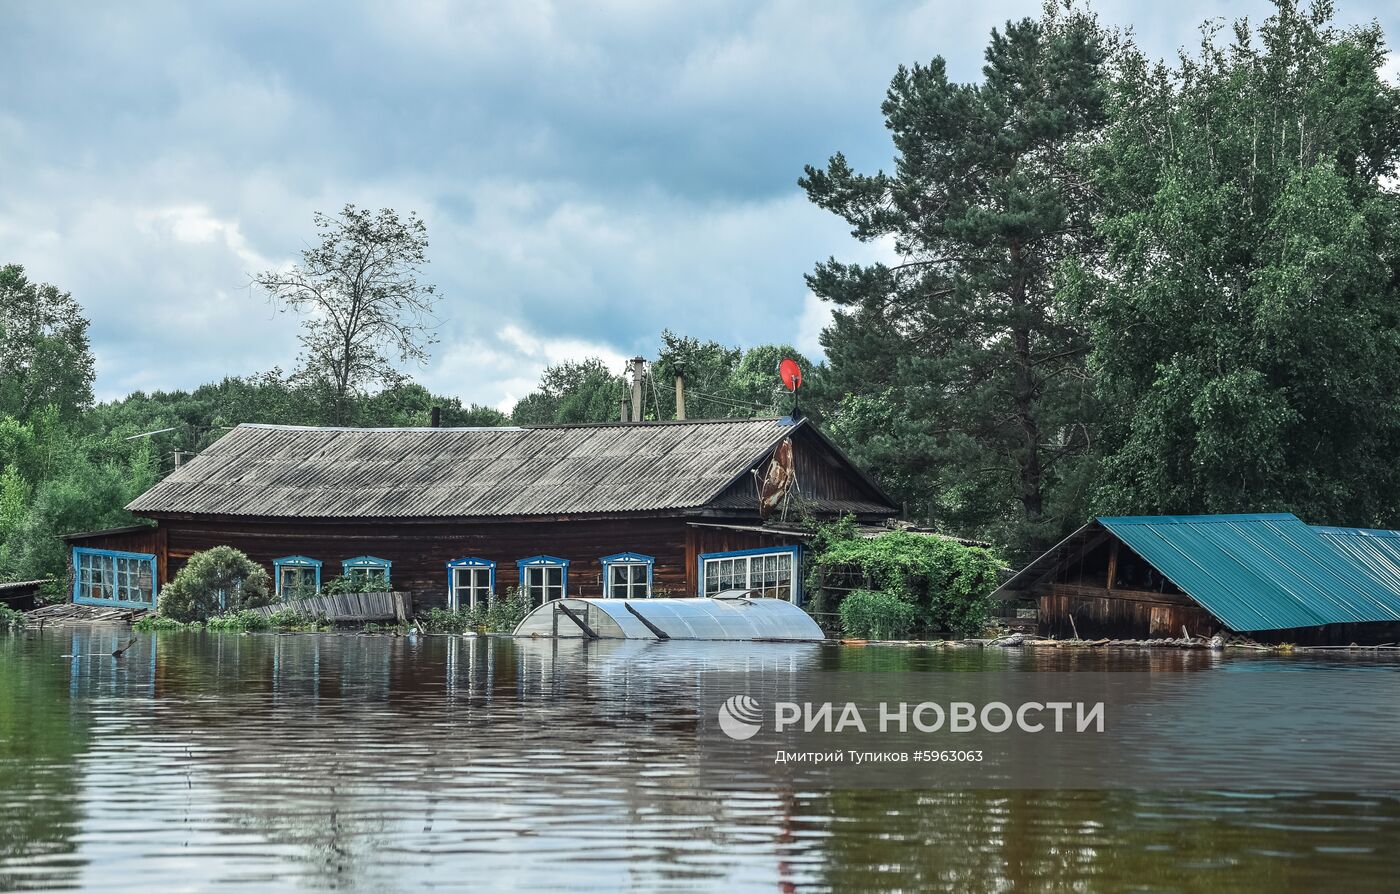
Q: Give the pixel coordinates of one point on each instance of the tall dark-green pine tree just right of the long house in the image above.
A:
(957, 376)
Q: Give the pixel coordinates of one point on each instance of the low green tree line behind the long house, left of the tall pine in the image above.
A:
(71, 465)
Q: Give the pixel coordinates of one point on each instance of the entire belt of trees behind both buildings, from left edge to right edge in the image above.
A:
(1122, 286)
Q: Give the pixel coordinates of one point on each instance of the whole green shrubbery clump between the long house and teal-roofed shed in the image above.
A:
(904, 583)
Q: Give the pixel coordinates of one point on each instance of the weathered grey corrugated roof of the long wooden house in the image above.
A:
(299, 472)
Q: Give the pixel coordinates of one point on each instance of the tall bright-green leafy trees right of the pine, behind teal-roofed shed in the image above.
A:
(1248, 322)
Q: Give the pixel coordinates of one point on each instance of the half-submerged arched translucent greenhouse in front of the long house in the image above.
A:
(723, 618)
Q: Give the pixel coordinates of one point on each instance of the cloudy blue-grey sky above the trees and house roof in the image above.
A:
(590, 173)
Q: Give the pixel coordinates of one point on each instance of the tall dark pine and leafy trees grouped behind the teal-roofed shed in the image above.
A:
(1128, 286)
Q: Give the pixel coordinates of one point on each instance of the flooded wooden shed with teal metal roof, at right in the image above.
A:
(1270, 577)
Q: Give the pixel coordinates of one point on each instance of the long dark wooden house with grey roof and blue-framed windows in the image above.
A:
(453, 516)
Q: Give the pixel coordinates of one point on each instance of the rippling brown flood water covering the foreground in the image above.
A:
(204, 762)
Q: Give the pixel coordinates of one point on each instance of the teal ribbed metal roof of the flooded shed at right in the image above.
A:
(1270, 572)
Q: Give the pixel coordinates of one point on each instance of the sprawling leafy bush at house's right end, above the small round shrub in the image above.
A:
(947, 583)
